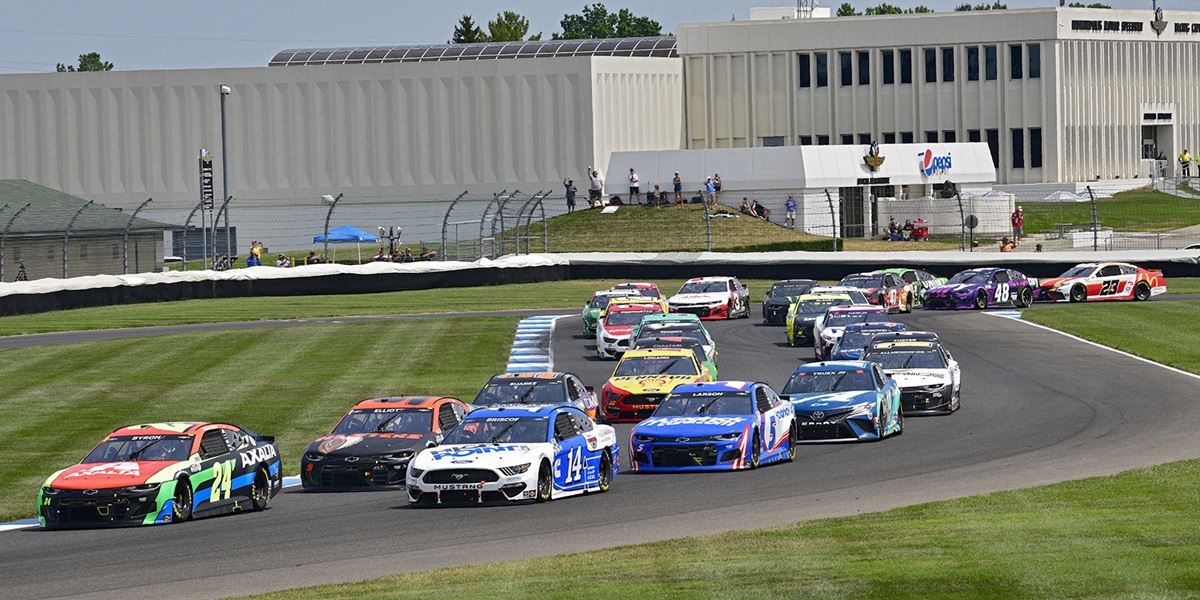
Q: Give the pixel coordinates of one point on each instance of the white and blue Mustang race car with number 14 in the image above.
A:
(515, 454)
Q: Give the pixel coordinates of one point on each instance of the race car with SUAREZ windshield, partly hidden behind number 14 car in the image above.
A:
(537, 388)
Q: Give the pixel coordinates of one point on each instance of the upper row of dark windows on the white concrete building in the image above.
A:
(1024, 59)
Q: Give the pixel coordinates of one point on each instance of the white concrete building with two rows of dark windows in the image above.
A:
(1058, 94)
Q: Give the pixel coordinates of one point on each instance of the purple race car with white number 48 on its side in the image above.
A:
(983, 289)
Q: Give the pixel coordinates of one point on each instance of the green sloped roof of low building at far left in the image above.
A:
(51, 212)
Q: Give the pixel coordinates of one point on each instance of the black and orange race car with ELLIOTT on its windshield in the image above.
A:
(370, 448)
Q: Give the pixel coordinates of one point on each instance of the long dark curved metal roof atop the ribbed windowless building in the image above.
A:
(663, 47)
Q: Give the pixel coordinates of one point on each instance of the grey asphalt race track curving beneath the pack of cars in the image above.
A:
(1039, 407)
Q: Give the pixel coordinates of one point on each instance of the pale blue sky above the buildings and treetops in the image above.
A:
(135, 35)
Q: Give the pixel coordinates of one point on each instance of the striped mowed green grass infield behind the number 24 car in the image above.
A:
(290, 382)
